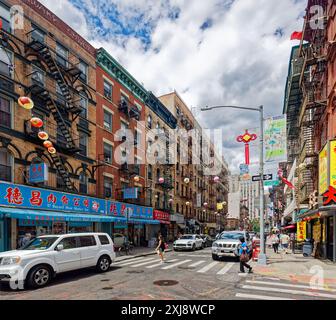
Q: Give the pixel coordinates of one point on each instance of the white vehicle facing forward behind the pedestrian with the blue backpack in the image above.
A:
(228, 244)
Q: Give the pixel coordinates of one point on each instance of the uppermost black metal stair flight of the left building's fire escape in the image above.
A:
(45, 53)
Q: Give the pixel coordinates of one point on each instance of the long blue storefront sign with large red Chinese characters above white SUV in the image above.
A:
(15, 195)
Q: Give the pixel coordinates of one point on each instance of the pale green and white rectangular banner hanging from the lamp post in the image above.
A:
(275, 139)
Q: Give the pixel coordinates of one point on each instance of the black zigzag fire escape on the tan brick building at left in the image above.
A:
(60, 111)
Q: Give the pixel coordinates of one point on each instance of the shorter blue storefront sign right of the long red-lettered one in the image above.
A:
(118, 209)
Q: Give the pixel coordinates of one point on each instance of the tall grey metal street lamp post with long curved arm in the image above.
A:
(262, 256)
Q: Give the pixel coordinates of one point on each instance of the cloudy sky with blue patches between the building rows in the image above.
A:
(212, 52)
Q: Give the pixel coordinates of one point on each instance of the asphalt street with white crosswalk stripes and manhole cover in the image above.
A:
(184, 275)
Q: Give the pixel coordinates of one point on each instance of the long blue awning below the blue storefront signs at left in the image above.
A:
(26, 214)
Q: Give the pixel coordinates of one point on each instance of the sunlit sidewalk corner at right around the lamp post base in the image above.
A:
(297, 268)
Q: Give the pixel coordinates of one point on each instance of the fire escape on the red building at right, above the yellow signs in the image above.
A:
(313, 82)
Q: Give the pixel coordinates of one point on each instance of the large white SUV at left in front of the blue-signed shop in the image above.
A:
(44, 257)
